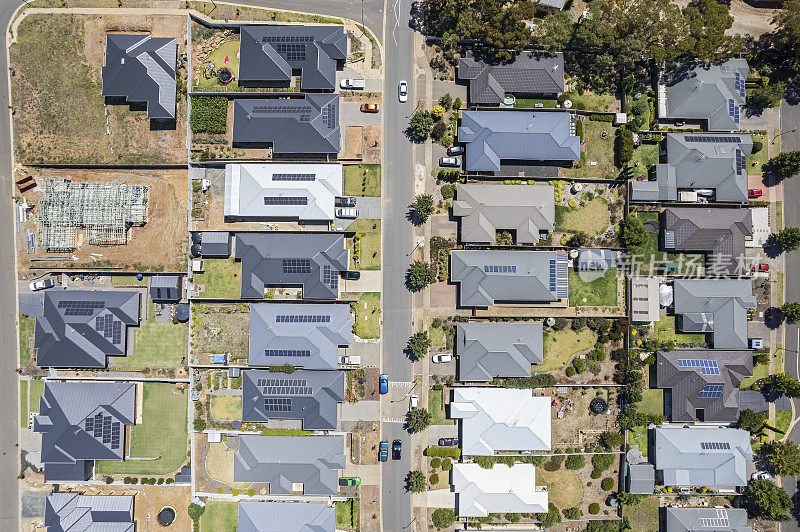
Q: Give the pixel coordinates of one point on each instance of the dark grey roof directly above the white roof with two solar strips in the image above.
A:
(309, 125)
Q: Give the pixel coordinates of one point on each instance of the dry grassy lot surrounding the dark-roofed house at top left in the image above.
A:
(59, 111)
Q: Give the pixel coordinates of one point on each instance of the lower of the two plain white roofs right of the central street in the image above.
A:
(500, 489)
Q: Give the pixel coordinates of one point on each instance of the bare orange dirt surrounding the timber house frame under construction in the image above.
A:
(160, 245)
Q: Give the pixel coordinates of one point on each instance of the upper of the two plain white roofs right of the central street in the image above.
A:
(501, 419)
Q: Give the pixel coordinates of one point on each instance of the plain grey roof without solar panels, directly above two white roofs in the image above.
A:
(488, 350)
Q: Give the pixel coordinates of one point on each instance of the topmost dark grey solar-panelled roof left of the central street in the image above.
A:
(270, 53)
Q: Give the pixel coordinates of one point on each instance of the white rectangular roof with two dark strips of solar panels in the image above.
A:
(282, 191)
